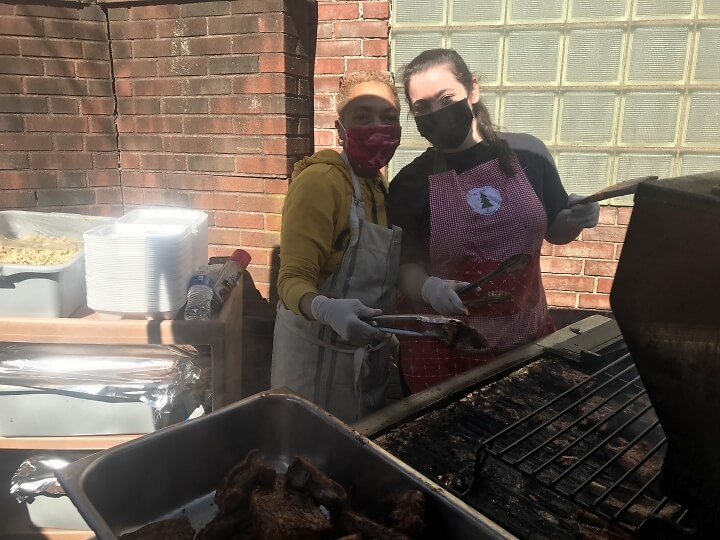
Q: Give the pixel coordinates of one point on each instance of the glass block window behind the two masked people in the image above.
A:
(615, 88)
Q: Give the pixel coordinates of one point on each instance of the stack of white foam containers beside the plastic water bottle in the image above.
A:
(137, 268)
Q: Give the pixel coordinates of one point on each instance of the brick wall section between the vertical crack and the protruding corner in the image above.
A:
(213, 111)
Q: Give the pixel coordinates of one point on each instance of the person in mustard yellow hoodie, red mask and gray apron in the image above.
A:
(339, 256)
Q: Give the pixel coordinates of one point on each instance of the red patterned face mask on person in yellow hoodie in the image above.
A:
(370, 148)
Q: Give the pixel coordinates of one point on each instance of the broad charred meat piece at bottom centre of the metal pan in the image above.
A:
(280, 514)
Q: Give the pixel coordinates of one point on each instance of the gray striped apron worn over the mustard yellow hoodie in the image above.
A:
(310, 358)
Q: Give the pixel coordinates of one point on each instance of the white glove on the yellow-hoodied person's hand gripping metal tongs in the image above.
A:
(343, 315)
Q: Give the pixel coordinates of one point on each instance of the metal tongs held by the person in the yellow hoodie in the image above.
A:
(448, 330)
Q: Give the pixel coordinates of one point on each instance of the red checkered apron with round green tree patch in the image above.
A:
(478, 219)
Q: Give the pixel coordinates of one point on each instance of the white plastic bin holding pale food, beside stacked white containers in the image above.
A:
(46, 290)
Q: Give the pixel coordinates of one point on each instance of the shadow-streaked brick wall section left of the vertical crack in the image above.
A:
(58, 147)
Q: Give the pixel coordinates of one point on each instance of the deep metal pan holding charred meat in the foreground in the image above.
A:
(177, 469)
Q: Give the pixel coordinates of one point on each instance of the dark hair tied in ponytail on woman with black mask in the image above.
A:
(450, 58)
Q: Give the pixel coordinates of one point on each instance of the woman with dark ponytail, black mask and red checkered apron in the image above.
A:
(471, 201)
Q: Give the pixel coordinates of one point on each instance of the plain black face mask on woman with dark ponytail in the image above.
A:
(448, 127)
